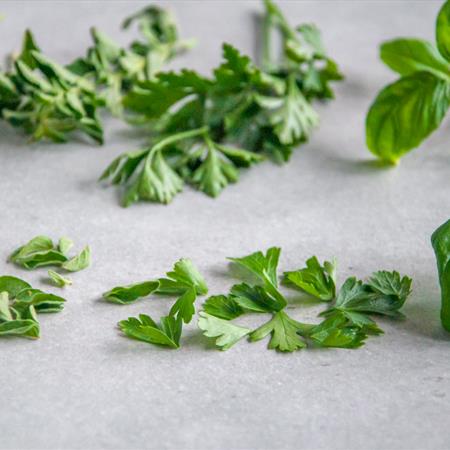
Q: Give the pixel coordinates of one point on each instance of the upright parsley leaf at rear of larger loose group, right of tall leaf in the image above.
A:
(318, 281)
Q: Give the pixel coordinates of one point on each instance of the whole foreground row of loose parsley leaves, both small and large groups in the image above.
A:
(346, 323)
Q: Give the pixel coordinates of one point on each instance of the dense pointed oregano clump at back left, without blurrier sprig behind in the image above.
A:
(47, 100)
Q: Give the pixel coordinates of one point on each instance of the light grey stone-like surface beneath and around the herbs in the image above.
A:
(82, 385)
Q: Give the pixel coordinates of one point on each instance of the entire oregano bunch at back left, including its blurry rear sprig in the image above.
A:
(50, 101)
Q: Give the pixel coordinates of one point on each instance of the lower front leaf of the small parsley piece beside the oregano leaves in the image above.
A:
(145, 329)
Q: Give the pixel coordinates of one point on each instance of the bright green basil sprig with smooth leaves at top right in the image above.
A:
(407, 111)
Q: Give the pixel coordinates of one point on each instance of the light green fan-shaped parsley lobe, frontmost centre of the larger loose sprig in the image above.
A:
(283, 330)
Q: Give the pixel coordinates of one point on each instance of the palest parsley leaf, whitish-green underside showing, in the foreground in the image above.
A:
(227, 334)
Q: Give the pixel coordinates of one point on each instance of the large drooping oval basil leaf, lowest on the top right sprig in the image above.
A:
(405, 113)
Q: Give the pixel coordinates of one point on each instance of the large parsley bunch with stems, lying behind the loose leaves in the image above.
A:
(205, 129)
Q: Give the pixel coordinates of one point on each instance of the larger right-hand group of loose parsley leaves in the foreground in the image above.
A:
(348, 320)
